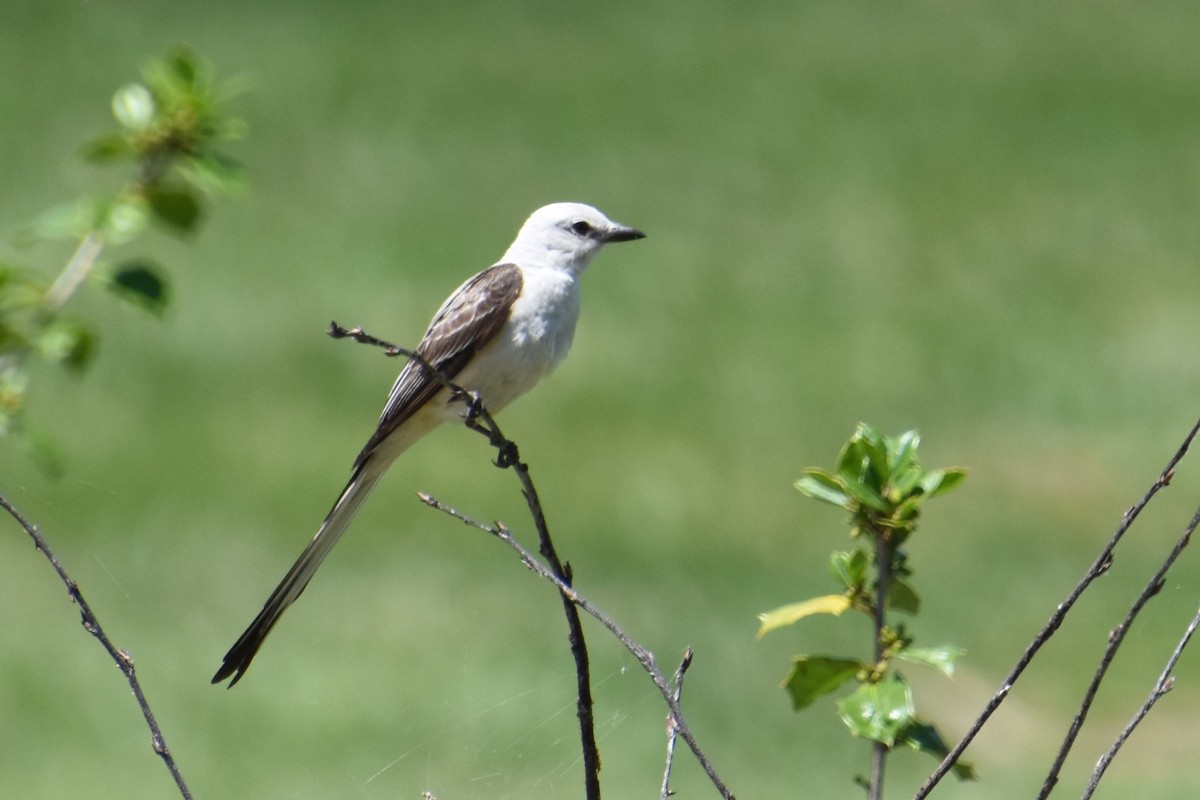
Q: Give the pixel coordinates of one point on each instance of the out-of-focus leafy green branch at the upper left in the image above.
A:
(169, 130)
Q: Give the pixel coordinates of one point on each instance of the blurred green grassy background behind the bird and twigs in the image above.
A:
(977, 220)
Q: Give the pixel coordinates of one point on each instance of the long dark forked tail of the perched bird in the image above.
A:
(238, 660)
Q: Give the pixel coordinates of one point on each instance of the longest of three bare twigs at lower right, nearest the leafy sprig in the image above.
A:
(1099, 568)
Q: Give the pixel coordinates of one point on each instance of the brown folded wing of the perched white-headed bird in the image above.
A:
(467, 321)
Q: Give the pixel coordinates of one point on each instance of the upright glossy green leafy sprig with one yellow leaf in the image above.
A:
(881, 483)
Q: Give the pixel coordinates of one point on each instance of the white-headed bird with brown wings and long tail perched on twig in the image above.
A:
(497, 335)
